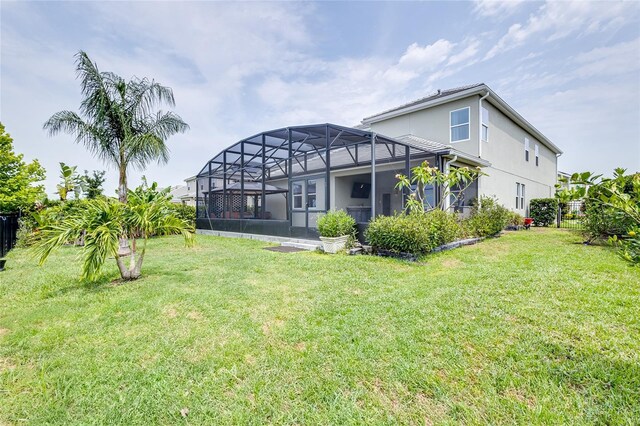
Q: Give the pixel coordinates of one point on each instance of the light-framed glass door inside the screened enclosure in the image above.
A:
(307, 202)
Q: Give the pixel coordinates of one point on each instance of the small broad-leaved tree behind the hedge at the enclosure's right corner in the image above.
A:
(424, 176)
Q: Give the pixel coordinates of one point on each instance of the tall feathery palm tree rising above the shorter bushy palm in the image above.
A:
(118, 121)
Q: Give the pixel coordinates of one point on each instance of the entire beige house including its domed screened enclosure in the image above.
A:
(280, 181)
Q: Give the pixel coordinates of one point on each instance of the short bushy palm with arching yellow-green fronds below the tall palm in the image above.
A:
(103, 221)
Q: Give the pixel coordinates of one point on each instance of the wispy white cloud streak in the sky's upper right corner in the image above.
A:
(557, 20)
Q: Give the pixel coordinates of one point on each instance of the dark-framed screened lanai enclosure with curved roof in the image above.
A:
(279, 182)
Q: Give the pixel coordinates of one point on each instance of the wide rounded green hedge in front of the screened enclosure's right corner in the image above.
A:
(416, 233)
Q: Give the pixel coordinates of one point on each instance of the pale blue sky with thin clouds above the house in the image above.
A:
(572, 69)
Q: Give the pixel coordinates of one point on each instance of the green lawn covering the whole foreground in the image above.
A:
(529, 328)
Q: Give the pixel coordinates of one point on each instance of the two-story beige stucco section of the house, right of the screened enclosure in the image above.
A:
(523, 163)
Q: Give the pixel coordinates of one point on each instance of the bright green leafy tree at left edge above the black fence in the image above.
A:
(17, 178)
